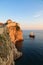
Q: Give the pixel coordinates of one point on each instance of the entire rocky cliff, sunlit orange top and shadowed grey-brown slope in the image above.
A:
(8, 51)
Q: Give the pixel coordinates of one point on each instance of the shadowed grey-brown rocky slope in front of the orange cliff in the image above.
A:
(8, 51)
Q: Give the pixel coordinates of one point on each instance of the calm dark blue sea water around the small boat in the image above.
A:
(32, 49)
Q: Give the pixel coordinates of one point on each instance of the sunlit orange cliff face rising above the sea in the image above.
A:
(15, 32)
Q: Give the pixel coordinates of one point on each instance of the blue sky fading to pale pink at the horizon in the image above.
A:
(28, 13)
